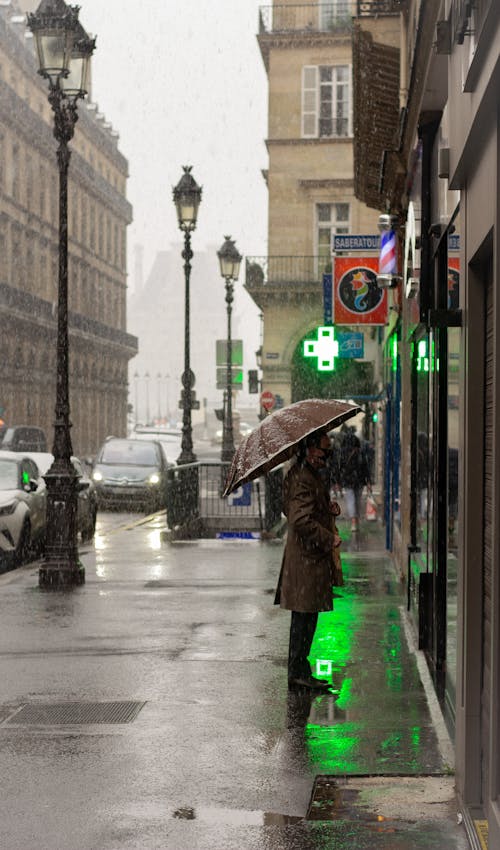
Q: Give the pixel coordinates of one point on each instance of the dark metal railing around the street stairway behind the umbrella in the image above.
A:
(194, 501)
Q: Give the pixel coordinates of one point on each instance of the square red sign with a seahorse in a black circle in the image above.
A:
(357, 298)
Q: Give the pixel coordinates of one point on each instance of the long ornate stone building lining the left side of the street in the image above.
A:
(98, 214)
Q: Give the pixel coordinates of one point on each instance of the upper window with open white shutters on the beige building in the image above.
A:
(326, 101)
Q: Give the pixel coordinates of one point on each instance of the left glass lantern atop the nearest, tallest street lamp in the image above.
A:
(54, 26)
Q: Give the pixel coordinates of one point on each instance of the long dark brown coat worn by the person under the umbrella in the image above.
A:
(306, 578)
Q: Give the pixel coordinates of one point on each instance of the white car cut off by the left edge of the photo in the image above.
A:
(22, 507)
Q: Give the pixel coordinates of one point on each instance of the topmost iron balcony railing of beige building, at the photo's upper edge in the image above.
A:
(321, 17)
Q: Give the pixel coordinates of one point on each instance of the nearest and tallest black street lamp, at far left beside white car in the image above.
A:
(64, 50)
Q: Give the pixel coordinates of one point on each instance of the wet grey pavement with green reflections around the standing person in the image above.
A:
(149, 709)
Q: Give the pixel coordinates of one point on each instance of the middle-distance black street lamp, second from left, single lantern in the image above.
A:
(187, 199)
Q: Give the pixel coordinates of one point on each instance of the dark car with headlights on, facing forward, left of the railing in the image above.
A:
(131, 473)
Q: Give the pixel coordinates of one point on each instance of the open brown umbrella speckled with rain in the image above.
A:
(276, 438)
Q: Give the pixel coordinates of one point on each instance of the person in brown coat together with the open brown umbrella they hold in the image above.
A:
(310, 560)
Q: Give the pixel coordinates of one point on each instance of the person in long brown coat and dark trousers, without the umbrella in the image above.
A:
(307, 571)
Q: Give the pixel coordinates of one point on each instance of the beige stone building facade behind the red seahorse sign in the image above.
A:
(307, 52)
